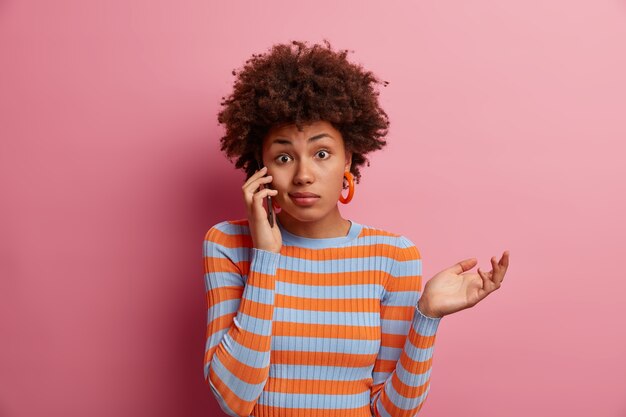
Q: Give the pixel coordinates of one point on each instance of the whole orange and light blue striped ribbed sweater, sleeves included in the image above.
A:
(325, 328)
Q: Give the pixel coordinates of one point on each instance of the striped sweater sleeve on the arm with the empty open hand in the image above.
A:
(401, 374)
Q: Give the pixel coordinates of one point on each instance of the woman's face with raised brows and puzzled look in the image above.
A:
(312, 161)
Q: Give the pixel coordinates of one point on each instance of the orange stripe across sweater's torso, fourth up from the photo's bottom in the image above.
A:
(282, 328)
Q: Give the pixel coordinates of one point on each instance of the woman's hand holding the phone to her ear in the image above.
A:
(263, 235)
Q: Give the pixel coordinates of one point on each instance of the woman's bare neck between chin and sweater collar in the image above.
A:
(332, 225)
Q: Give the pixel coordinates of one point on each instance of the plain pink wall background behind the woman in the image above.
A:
(508, 129)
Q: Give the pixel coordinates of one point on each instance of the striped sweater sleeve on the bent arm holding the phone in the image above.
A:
(239, 318)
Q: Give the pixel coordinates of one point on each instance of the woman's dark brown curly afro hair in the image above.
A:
(297, 84)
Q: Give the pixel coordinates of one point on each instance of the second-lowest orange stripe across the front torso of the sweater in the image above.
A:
(307, 386)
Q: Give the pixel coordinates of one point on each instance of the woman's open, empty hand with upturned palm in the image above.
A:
(454, 289)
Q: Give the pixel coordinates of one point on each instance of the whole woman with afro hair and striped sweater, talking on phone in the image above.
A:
(310, 313)
